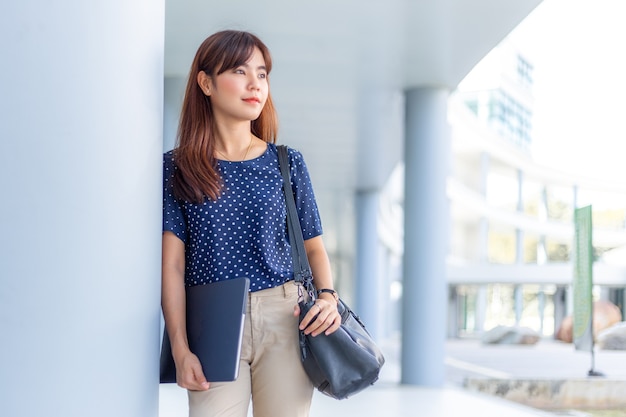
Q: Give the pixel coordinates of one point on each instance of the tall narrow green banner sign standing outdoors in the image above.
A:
(583, 280)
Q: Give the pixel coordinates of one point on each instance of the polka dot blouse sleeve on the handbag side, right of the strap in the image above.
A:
(306, 204)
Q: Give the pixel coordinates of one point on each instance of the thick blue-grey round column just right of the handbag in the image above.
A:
(426, 235)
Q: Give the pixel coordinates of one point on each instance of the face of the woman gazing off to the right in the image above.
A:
(239, 94)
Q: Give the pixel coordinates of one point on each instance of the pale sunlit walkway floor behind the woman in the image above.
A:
(464, 358)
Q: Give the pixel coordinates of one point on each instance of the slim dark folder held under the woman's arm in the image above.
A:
(215, 320)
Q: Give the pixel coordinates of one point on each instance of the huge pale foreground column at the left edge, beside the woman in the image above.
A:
(81, 127)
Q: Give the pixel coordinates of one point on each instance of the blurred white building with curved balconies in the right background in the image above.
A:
(512, 217)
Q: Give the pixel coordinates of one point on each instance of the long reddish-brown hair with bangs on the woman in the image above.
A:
(197, 176)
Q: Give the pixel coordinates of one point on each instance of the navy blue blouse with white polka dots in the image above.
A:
(243, 233)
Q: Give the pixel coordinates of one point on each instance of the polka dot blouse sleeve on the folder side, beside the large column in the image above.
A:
(173, 216)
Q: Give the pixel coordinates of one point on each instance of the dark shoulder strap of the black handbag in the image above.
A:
(301, 267)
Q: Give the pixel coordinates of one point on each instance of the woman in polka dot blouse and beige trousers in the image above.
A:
(224, 217)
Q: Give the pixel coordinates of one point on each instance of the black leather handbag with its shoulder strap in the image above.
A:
(346, 361)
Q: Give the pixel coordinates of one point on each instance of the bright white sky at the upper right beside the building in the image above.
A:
(579, 55)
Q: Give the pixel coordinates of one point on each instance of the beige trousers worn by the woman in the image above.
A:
(270, 371)
